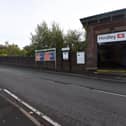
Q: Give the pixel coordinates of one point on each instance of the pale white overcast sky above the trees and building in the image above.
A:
(18, 18)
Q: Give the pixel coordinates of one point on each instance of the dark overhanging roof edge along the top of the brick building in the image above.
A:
(109, 16)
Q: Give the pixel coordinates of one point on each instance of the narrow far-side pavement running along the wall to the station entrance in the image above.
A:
(114, 75)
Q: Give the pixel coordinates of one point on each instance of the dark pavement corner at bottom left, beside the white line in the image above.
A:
(11, 115)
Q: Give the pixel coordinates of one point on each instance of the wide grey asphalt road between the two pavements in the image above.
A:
(71, 101)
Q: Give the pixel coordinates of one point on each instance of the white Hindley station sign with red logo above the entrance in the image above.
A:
(112, 37)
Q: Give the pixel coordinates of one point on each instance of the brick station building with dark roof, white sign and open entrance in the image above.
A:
(106, 38)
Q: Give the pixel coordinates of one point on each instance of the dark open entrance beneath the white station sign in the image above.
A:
(112, 55)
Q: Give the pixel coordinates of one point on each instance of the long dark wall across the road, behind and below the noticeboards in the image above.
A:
(61, 65)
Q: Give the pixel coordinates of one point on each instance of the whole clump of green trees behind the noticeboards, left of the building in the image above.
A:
(53, 37)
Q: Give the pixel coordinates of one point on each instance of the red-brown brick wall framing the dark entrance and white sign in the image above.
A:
(92, 32)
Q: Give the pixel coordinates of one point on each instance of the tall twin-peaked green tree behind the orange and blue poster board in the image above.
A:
(46, 37)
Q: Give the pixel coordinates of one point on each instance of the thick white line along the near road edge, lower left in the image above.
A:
(42, 115)
